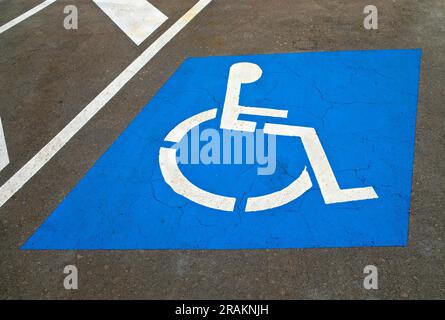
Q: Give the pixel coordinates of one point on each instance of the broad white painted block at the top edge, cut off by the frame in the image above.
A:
(138, 19)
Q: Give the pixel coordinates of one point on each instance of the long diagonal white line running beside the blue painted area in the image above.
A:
(56, 144)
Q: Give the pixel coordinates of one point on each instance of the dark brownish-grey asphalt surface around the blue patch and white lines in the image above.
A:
(49, 74)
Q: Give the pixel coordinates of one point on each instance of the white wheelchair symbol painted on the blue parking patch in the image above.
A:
(244, 73)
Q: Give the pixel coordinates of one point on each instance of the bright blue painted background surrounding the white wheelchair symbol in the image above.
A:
(361, 103)
